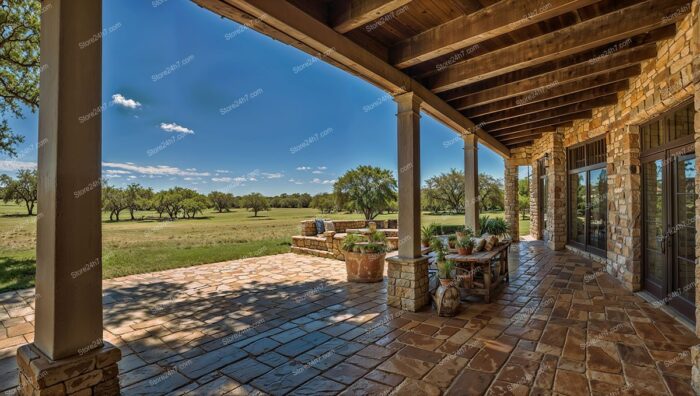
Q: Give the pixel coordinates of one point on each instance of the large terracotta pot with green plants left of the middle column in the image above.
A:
(364, 258)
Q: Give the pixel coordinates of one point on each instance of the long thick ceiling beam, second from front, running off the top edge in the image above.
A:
(468, 30)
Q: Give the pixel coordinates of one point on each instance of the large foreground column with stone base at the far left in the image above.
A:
(68, 354)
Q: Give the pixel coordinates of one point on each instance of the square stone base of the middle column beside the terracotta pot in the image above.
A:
(408, 283)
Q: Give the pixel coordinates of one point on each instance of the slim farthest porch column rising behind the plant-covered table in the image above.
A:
(471, 182)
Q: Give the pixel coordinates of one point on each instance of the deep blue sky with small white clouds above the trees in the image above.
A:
(202, 102)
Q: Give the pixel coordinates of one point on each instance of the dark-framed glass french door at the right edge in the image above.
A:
(669, 227)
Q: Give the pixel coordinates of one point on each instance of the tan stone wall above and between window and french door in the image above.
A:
(665, 82)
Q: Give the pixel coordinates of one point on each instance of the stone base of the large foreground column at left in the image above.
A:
(94, 372)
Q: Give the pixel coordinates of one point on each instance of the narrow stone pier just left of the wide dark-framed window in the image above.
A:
(555, 233)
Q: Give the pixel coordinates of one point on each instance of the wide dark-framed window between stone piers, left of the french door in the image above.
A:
(588, 190)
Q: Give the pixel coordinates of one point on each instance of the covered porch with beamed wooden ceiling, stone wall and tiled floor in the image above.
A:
(540, 84)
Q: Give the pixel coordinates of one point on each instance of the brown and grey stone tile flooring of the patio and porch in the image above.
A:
(291, 324)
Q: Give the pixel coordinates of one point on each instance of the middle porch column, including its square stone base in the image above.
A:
(408, 272)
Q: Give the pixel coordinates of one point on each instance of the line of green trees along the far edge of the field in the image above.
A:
(368, 190)
